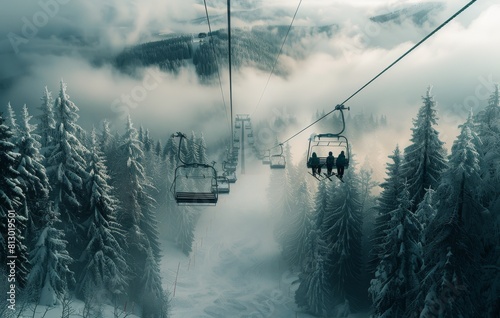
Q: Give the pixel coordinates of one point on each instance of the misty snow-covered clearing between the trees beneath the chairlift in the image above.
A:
(235, 268)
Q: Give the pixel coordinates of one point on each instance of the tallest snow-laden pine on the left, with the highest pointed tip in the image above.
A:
(66, 170)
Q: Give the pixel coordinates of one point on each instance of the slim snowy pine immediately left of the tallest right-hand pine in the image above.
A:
(387, 202)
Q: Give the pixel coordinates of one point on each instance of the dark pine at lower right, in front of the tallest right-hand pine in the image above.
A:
(396, 277)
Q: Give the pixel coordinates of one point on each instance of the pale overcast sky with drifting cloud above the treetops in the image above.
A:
(44, 41)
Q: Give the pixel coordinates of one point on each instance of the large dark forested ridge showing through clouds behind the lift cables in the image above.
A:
(256, 47)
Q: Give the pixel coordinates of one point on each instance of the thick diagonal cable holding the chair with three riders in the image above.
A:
(383, 71)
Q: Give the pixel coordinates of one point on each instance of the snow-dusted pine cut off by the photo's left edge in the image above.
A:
(11, 198)
